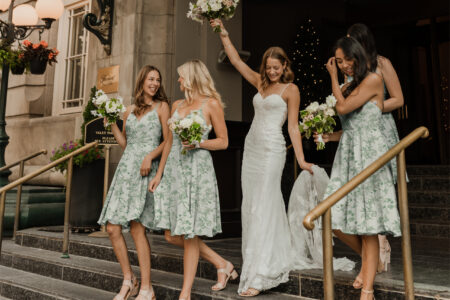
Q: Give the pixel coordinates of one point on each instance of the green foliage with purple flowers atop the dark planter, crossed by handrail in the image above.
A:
(86, 157)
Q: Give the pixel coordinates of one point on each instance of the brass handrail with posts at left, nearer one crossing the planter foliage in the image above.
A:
(25, 178)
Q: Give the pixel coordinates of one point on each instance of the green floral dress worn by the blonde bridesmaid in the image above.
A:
(187, 198)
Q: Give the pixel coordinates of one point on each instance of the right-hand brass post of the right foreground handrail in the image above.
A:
(404, 221)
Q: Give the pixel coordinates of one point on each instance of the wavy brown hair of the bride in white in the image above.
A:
(280, 54)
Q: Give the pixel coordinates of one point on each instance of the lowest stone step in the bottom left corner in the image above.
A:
(21, 285)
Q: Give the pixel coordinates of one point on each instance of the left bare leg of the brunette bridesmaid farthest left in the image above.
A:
(121, 252)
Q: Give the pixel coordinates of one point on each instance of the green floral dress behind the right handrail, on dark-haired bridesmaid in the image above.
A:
(371, 208)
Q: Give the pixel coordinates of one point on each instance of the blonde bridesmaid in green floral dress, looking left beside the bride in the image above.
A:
(187, 198)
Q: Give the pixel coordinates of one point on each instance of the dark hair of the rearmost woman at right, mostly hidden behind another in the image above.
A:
(364, 36)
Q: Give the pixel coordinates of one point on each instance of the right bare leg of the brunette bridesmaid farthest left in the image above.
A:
(143, 251)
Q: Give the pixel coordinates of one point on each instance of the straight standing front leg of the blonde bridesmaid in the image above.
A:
(190, 262)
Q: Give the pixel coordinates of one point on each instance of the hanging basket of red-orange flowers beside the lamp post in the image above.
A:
(38, 55)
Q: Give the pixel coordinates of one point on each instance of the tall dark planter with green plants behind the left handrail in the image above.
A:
(87, 179)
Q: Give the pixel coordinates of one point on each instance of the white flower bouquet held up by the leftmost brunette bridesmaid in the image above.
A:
(109, 108)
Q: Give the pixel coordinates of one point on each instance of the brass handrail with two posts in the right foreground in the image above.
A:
(324, 208)
